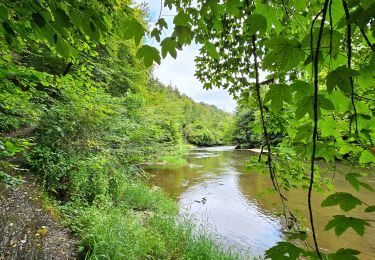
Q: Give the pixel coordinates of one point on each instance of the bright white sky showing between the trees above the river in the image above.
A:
(180, 72)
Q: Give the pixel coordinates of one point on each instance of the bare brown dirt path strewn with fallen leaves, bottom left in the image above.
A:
(28, 229)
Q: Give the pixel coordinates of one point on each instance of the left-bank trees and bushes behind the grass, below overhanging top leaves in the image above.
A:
(105, 110)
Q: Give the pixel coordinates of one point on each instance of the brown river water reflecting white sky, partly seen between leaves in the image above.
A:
(217, 190)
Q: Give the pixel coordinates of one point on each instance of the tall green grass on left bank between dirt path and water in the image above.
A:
(143, 226)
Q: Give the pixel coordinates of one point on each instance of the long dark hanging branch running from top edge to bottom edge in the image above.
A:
(315, 131)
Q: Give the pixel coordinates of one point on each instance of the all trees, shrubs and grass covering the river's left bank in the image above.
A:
(85, 116)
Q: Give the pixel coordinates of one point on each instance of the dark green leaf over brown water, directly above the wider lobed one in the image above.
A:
(345, 200)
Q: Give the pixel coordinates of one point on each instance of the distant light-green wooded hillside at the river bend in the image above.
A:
(186, 120)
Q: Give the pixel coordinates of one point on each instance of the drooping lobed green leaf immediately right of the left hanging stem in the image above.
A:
(278, 94)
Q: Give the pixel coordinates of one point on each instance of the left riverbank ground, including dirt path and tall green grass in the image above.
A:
(138, 221)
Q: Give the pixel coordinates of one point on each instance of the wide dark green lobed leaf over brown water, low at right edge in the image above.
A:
(341, 223)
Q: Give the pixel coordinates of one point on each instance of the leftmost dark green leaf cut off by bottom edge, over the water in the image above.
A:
(284, 251)
